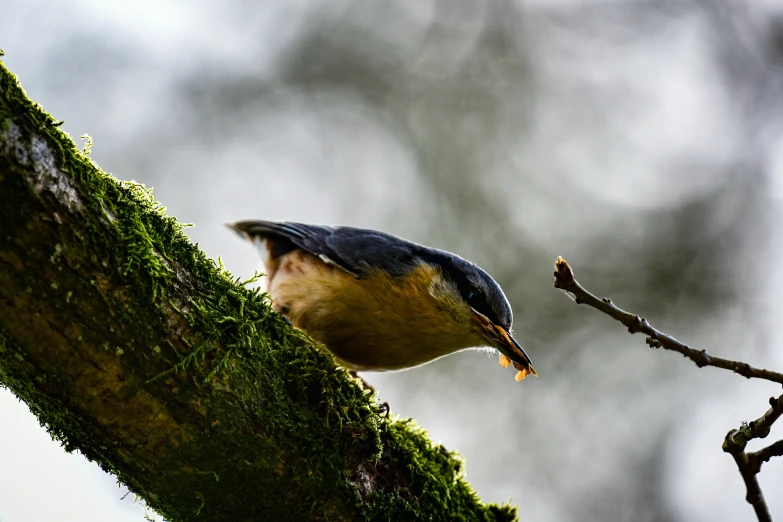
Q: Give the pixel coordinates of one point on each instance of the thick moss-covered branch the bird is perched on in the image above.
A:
(134, 348)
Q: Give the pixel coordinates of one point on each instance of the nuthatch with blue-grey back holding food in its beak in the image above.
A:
(379, 302)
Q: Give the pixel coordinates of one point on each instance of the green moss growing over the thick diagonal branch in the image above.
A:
(259, 411)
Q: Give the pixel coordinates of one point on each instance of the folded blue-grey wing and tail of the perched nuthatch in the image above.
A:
(355, 250)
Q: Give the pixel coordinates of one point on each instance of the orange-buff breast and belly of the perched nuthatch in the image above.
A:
(374, 323)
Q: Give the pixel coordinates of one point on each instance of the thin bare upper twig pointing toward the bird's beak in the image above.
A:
(564, 280)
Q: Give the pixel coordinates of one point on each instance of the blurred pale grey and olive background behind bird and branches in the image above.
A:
(641, 140)
